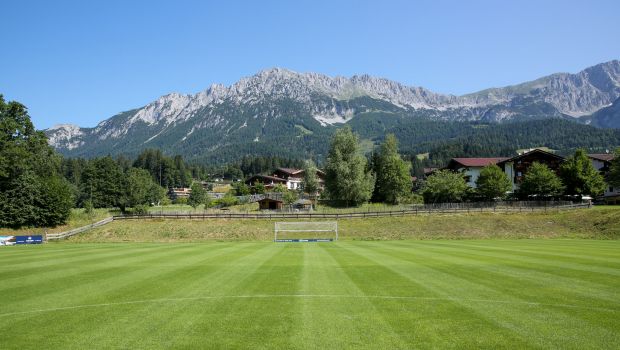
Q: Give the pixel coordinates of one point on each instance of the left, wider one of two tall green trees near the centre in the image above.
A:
(346, 178)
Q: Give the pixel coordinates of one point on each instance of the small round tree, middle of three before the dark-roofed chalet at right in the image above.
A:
(540, 181)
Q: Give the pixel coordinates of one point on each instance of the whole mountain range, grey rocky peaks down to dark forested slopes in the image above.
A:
(282, 112)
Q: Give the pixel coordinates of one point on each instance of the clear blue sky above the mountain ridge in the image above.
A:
(83, 61)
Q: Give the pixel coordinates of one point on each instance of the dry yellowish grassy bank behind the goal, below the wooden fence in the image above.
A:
(598, 223)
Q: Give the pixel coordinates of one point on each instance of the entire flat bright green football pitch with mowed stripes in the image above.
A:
(348, 294)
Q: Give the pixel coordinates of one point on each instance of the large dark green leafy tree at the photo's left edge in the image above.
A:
(32, 191)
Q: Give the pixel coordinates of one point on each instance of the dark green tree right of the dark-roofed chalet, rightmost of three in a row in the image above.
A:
(580, 177)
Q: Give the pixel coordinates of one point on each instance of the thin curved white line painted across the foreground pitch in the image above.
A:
(271, 296)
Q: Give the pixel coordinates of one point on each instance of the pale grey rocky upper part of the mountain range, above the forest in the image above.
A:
(248, 108)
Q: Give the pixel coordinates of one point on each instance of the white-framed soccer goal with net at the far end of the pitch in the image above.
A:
(313, 231)
